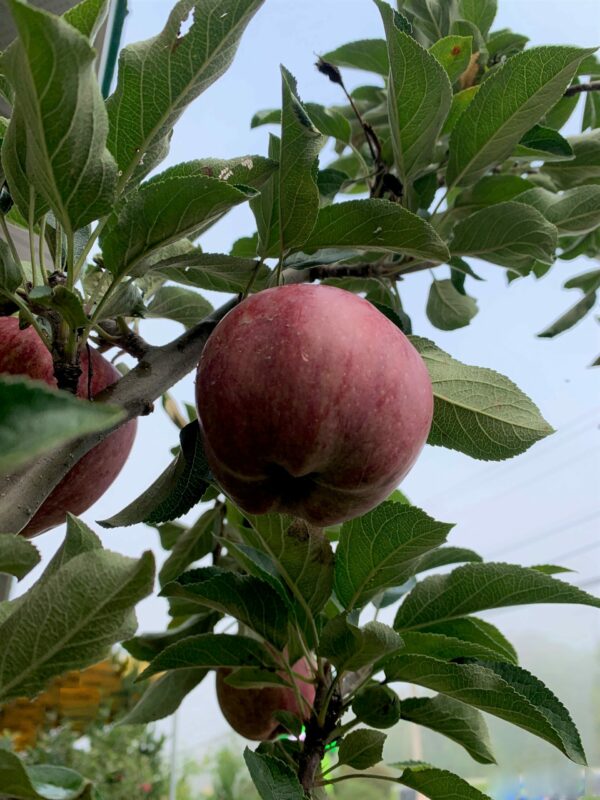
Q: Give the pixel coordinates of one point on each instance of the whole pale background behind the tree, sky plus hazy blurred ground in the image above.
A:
(543, 507)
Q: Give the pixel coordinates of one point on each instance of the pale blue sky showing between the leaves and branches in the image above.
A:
(551, 494)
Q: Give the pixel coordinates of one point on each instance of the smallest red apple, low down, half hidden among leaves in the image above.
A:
(250, 711)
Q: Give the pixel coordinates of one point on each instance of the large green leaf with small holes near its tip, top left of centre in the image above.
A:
(159, 77)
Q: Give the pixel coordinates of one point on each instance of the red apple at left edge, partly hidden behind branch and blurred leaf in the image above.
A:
(22, 353)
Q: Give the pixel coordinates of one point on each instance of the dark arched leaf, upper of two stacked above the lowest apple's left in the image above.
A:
(249, 600)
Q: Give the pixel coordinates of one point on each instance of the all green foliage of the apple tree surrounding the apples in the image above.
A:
(452, 151)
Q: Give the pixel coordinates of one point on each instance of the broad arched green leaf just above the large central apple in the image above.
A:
(375, 225)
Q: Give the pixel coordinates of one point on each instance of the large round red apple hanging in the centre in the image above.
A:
(312, 403)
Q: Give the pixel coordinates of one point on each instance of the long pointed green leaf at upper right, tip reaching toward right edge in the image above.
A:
(507, 104)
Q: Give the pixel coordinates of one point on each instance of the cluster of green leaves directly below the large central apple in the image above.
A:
(311, 592)
